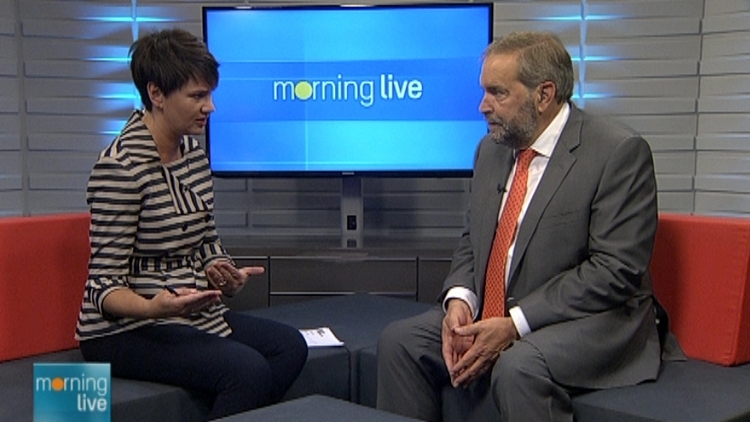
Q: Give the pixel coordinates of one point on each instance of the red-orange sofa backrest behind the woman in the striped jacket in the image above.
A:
(43, 270)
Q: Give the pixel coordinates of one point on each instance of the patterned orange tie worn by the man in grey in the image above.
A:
(494, 288)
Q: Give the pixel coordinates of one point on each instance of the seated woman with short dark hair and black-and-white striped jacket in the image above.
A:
(152, 305)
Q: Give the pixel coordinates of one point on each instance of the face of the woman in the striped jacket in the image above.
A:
(186, 110)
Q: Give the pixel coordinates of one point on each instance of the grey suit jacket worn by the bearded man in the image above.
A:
(580, 267)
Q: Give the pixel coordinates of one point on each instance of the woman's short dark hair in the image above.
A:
(170, 59)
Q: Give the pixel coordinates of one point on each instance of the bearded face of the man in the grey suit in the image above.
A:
(507, 104)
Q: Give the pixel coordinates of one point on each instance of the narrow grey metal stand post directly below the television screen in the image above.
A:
(352, 212)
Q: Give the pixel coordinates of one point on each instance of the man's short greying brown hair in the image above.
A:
(541, 57)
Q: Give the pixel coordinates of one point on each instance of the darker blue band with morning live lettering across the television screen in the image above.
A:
(366, 90)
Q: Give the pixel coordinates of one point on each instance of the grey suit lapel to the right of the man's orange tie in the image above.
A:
(558, 167)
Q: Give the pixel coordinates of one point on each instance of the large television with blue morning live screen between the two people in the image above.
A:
(337, 90)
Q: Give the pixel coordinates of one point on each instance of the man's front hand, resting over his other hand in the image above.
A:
(488, 338)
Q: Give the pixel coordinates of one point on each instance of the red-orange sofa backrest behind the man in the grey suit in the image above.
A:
(701, 271)
